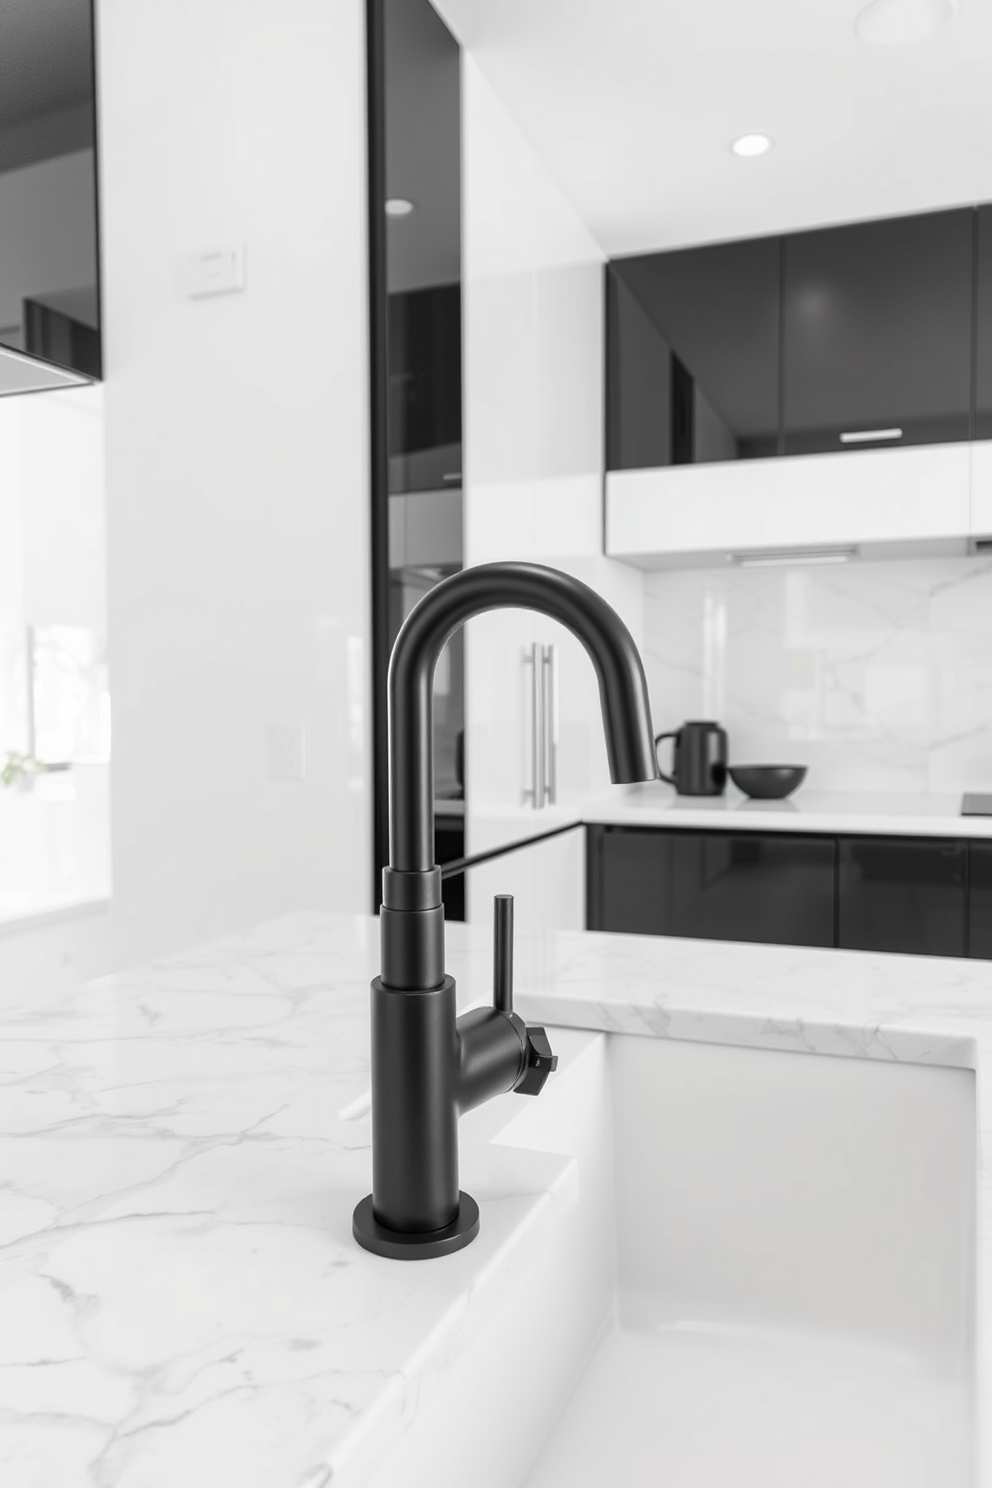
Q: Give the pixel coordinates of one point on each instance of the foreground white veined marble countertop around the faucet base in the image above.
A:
(182, 1301)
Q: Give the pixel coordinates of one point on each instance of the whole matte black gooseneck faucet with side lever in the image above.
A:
(428, 1066)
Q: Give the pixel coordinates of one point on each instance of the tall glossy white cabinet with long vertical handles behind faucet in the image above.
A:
(533, 461)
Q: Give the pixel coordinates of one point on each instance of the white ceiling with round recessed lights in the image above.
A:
(633, 105)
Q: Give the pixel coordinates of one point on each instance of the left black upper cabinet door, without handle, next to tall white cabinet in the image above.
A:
(692, 356)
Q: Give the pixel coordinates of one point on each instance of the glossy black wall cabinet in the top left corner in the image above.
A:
(50, 303)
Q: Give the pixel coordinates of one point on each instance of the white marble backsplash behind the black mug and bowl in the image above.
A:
(875, 675)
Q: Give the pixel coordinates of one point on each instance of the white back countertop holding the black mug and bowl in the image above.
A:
(875, 813)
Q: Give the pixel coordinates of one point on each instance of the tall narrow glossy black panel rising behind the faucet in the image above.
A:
(416, 307)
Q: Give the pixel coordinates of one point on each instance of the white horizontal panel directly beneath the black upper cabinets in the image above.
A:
(881, 498)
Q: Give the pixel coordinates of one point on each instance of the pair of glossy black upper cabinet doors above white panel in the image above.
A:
(844, 339)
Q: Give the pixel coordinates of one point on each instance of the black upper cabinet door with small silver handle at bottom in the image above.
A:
(878, 334)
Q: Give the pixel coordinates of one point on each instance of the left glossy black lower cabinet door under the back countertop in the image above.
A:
(715, 886)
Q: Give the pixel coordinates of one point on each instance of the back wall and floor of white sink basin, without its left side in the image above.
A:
(793, 1277)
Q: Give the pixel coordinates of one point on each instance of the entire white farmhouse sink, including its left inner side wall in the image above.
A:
(768, 1282)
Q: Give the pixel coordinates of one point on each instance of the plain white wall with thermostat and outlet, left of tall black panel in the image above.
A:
(237, 462)
